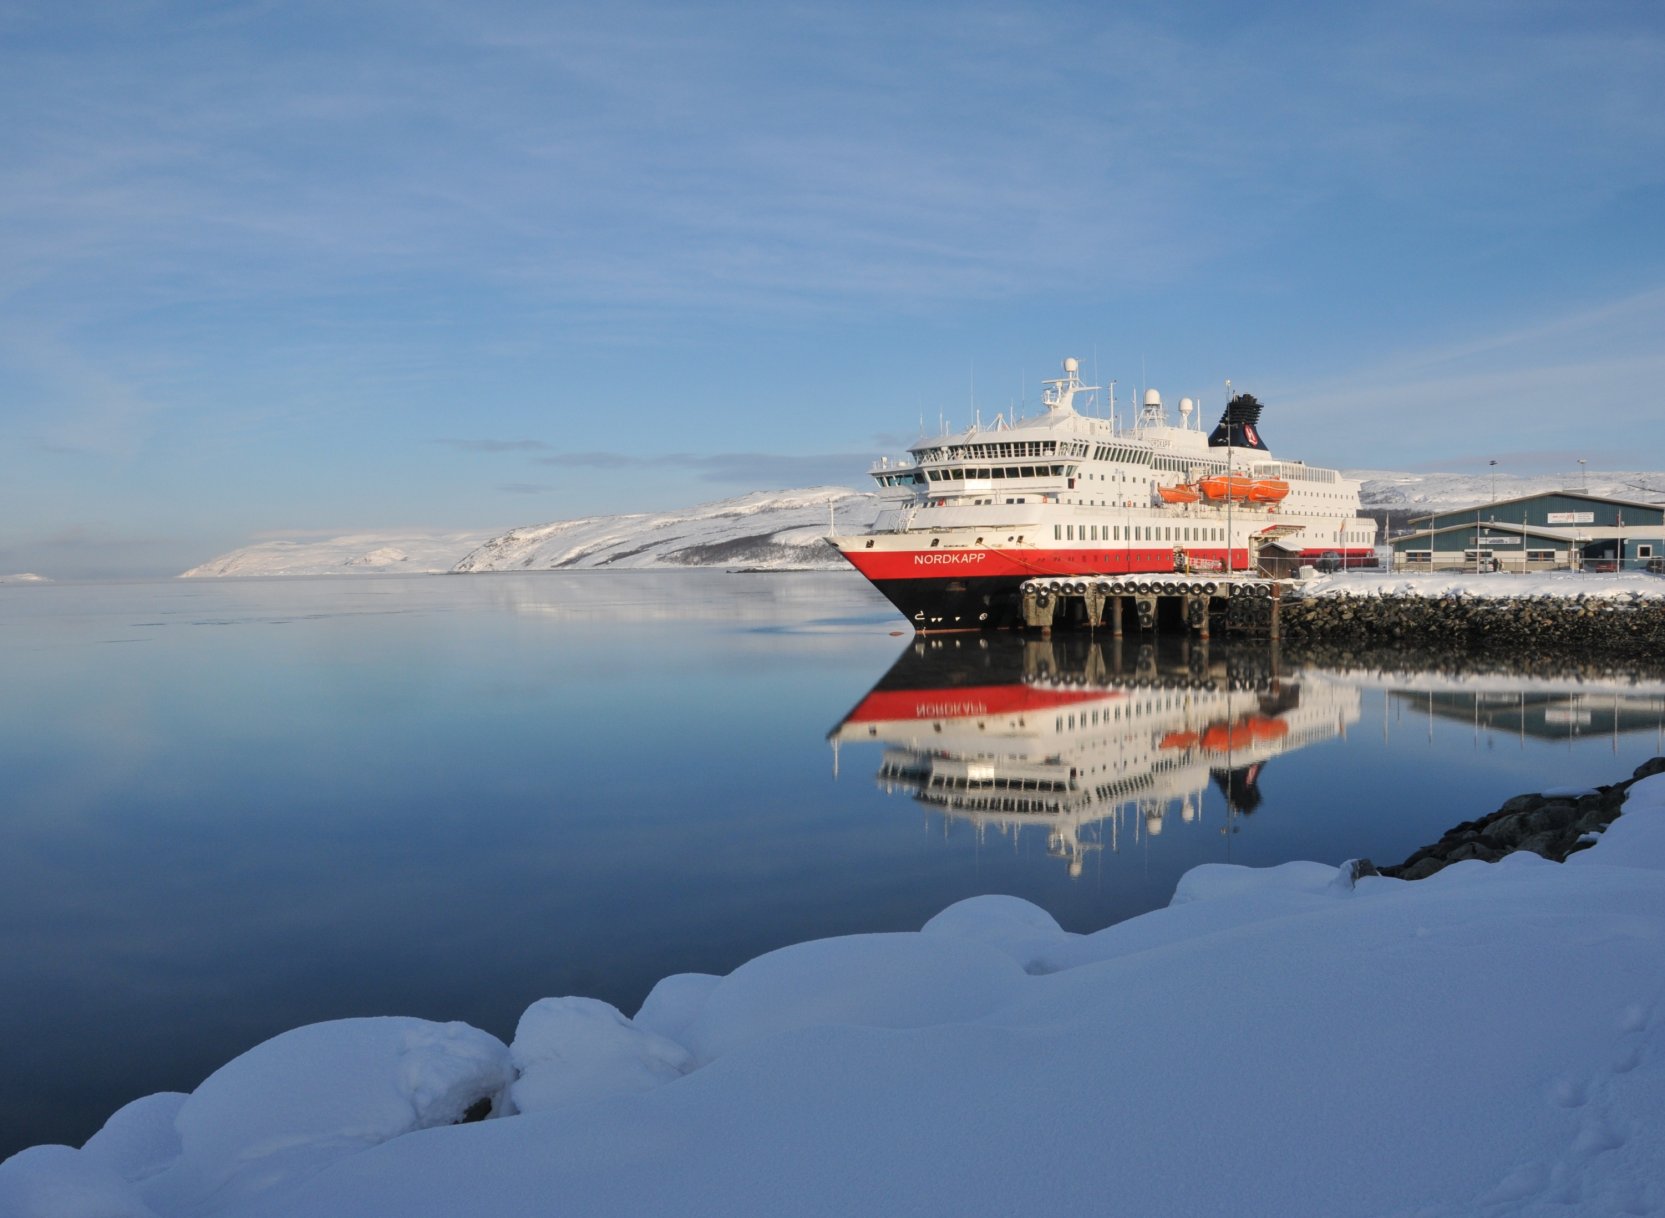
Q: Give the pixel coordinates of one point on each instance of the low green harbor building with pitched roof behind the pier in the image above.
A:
(1546, 532)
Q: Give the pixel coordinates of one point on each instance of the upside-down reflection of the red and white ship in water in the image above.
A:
(1078, 735)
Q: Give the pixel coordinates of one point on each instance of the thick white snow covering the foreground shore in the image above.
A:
(1283, 1042)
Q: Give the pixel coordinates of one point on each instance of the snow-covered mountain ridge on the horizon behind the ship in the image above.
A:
(777, 530)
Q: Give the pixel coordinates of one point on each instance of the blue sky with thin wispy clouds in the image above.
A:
(287, 269)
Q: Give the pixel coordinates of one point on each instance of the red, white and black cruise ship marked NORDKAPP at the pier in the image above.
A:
(968, 518)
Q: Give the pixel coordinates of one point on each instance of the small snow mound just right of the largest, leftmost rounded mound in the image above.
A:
(579, 1051)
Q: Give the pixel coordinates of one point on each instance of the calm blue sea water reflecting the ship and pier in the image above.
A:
(234, 808)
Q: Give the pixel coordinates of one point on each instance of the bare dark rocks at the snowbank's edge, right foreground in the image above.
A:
(1553, 824)
